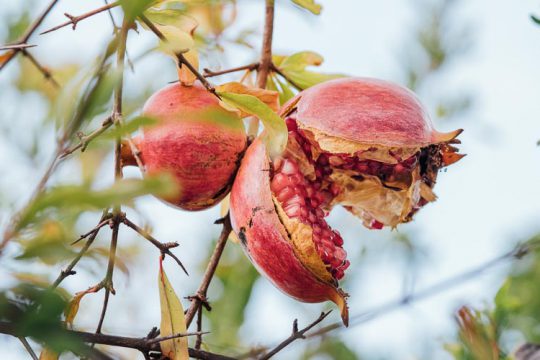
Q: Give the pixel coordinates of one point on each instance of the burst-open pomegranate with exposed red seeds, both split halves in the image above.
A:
(366, 144)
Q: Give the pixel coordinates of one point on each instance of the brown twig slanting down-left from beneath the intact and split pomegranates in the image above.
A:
(200, 296)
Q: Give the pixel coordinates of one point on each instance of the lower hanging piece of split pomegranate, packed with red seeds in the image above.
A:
(283, 233)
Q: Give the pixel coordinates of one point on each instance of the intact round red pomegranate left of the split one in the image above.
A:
(195, 140)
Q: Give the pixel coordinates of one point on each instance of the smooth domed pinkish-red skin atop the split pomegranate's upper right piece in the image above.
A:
(368, 111)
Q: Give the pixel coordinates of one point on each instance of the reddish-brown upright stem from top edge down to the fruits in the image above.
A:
(266, 59)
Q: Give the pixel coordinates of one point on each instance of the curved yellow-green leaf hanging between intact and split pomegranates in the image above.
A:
(275, 136)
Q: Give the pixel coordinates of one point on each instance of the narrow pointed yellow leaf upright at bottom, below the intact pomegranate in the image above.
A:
(172, 320)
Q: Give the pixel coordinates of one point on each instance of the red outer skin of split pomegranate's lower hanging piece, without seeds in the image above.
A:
(264, 238)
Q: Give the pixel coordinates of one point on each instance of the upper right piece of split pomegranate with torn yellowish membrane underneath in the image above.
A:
(370, 146)
